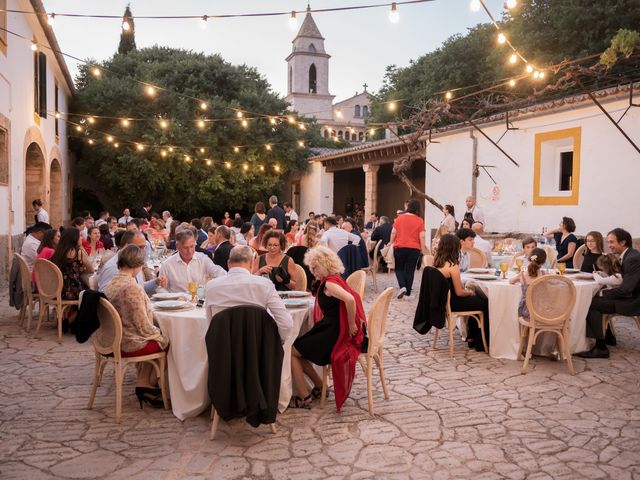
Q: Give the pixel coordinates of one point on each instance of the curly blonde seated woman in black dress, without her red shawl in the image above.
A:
(317, 344)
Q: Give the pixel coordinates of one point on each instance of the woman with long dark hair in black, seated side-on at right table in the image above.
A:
(447, 261)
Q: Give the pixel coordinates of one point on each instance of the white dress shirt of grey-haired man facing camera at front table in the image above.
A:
(200, 269)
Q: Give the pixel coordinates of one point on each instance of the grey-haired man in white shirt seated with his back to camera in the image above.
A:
(240, 287)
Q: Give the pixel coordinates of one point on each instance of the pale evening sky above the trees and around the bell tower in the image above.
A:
(361, 43)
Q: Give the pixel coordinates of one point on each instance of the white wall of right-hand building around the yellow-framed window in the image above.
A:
(609, 172)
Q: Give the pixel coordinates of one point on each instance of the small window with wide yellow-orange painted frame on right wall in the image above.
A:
(557, 167)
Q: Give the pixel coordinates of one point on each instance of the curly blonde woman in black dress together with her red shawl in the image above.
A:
(337, 336)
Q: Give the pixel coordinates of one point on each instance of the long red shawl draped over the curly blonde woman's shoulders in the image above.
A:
(346, 351)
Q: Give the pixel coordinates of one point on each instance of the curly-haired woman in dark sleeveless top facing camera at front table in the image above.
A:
(275, 264)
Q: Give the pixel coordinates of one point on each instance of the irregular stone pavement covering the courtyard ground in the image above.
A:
(467, 417)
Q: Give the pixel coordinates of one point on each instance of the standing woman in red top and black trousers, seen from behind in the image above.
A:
(407, 237)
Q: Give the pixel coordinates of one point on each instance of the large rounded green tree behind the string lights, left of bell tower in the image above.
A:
(129, 176)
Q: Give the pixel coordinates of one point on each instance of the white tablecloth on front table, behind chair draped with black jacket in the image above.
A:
(188, 365)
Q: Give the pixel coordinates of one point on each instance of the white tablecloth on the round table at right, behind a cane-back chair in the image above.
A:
(503, 318)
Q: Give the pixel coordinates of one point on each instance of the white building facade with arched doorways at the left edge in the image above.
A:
(38, 160)
